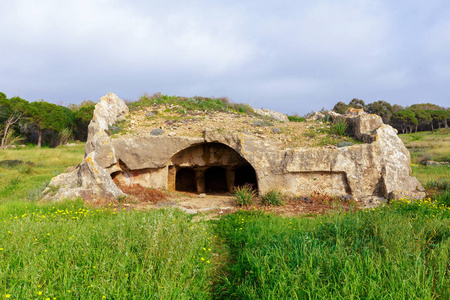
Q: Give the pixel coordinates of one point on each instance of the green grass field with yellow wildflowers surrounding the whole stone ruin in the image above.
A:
(73, 250)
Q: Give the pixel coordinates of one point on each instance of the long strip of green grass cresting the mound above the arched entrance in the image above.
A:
(184, 104)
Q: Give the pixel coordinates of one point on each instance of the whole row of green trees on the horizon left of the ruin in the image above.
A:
(42, 123)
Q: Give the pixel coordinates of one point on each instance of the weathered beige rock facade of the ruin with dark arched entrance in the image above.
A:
(377, 169)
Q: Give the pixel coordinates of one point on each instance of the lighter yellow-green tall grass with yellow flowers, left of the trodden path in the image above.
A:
(69, 251)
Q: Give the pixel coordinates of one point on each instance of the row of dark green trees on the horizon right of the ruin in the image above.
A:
(417, 117)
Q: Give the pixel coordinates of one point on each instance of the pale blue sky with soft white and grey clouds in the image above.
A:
(290, 56)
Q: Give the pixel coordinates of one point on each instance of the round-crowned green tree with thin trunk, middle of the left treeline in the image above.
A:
(46, 115)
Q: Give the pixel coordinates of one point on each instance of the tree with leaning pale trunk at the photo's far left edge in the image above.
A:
(11, 111)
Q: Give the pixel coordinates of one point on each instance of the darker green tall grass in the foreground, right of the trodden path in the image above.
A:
(400, 252)
